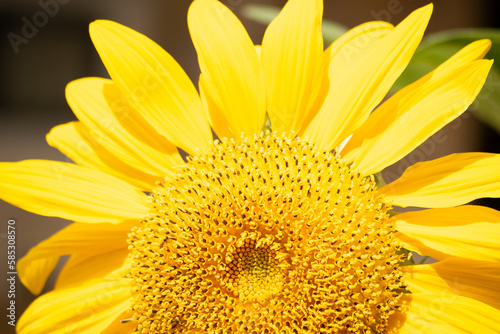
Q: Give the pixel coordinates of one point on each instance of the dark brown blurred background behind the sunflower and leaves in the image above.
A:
(45, 44)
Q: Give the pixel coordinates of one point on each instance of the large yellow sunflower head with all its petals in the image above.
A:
(290, 230)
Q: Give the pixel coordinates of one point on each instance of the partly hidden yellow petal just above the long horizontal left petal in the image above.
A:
(71, 140)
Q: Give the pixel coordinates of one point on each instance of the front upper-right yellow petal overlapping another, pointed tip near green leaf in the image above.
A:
(407, 119)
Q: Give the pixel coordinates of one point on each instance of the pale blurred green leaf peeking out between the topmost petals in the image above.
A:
(264, 14)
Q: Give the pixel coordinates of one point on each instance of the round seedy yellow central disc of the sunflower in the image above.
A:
(267, 234)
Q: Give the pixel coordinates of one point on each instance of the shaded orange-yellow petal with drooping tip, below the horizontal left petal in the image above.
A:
(78, 238)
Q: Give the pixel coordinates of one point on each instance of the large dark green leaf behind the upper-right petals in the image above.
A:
(438, 47)
